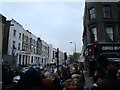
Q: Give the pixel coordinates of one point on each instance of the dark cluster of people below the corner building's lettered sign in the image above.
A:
(110, 80)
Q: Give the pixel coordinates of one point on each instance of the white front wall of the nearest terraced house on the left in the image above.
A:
(15, 37)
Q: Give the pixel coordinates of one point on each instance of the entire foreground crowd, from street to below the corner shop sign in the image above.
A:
(68, 77)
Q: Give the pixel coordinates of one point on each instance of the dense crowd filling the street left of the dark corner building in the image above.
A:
(63, 78)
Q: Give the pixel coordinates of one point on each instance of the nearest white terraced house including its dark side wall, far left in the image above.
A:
(12, 42)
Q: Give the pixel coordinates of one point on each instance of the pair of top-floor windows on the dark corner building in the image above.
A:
(106, 12)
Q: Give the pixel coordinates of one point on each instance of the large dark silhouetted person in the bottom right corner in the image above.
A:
(110, 82)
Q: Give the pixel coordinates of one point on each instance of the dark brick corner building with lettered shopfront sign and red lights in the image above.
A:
(101, 35)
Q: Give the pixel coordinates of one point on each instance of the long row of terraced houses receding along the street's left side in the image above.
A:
(22, 48)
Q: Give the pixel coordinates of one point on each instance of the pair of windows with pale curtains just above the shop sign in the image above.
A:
(109, 33)
